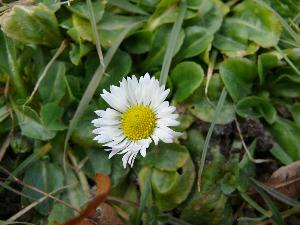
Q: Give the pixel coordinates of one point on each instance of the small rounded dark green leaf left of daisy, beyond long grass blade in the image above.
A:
(51, 115)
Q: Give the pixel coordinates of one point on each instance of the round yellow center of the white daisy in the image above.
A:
(138, 122)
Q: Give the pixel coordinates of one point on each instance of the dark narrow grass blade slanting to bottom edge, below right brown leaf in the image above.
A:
(276, 216)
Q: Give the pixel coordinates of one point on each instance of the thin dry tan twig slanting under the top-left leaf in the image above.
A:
(61, 48)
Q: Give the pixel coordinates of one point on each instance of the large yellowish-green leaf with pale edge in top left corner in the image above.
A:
(39, 25)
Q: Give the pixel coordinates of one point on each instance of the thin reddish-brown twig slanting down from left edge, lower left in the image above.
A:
(38, 190)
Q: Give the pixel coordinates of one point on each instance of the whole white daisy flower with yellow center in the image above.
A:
(138, 115)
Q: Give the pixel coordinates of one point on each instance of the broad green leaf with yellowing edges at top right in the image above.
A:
(251, 25)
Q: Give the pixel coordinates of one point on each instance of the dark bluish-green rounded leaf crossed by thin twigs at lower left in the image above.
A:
(45, 176)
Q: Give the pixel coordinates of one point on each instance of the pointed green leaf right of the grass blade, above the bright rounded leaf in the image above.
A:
(196, 41)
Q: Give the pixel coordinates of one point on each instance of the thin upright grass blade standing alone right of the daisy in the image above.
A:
(208, 137)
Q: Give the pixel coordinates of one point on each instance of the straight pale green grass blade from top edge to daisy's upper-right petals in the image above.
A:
(171, 45)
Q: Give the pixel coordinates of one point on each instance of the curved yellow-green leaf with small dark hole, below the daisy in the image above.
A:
(172, 188)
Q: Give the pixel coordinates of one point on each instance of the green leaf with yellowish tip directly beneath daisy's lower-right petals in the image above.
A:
(168, 157)
